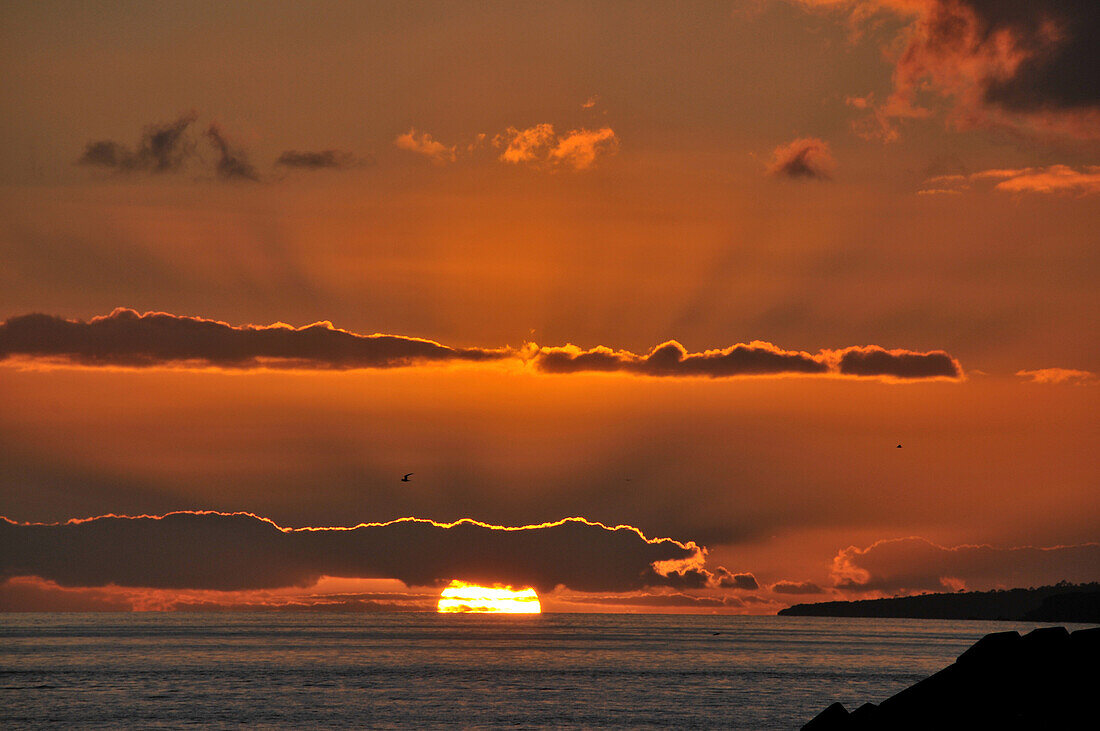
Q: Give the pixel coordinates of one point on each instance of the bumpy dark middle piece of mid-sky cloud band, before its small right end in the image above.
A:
(672, 359)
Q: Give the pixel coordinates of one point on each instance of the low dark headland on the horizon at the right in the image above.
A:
(1060, 603)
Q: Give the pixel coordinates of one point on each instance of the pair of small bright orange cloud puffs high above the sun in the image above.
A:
(541, 146)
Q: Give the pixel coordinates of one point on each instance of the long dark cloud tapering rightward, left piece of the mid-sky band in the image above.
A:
(128, 339)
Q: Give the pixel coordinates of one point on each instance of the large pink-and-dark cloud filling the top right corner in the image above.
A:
(1027, 65)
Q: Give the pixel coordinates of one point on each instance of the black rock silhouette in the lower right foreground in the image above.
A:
(1044, 680)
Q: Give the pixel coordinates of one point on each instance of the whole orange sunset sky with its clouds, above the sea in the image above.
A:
(700, 307)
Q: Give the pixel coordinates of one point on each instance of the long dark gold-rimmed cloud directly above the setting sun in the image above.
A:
(233, 552)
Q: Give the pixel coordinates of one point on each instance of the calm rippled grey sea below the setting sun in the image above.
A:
(383, 671)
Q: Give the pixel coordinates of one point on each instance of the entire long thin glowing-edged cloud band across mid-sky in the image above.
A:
(126, 338)
